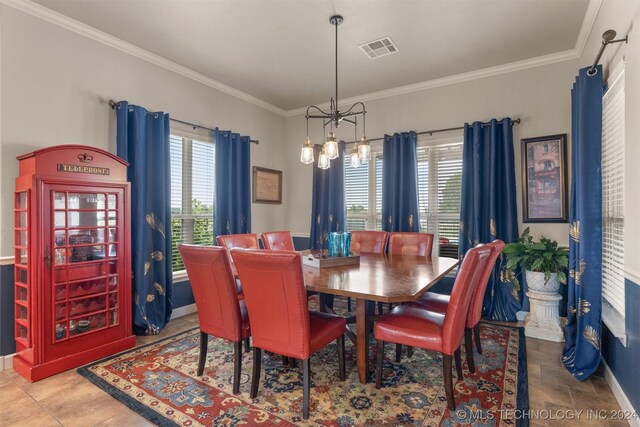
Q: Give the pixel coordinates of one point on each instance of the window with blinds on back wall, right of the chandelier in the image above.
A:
(439, 186)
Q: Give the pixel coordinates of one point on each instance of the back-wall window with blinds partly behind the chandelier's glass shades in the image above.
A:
(363, 193)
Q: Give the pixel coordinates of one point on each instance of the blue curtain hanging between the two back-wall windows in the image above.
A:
(400, 182)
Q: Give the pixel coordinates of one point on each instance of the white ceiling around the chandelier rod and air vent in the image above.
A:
(282, 51)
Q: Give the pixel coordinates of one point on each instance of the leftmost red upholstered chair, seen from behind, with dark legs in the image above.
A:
(220, 312)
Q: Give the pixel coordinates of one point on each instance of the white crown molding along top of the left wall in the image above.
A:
(88, 31)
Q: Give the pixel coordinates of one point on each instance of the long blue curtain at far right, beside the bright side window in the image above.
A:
(581, 354)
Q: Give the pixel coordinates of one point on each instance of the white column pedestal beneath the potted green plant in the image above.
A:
(543, 320)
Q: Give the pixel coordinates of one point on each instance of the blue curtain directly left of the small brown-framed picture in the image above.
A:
(233, 183)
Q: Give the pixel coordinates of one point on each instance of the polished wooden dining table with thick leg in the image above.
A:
(378, 278)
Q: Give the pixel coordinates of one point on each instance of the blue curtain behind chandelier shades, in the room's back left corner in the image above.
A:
(327, 206)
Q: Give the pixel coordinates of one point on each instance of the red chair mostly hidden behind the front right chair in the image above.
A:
(438, 303)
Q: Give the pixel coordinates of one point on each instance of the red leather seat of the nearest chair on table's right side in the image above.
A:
(411, 326)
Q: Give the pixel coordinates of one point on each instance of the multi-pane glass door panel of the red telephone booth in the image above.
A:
(85, 294)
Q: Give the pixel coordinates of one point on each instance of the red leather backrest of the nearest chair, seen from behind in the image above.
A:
(276, 300)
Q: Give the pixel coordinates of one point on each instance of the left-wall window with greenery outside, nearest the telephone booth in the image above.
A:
(192, 193)
